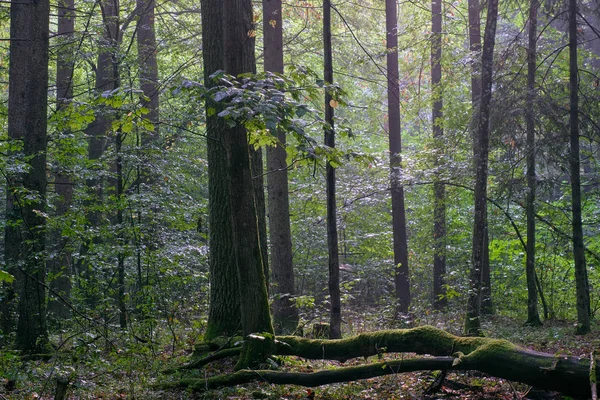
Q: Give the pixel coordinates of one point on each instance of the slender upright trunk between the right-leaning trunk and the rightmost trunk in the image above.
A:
(533, 317)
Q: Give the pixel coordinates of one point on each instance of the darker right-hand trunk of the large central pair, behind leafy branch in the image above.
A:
(238, 49)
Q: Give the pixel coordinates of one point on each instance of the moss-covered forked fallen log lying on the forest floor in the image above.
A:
(500, 358)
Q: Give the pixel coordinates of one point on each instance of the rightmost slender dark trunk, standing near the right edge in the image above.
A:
(581, 279)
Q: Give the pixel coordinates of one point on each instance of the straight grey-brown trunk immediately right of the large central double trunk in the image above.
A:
(285, 313)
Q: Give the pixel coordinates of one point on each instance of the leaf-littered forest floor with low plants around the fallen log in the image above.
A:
(128, 367)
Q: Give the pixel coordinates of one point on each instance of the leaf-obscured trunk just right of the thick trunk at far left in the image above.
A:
(60, 266)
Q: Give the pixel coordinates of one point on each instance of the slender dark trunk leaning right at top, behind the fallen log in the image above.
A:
(472, 321)
